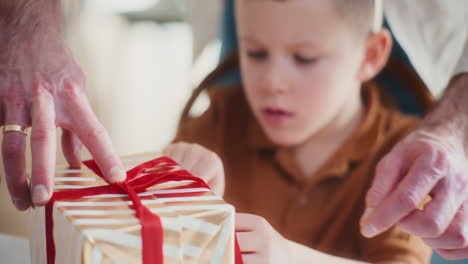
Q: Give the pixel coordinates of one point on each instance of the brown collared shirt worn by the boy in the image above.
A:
(322, 211)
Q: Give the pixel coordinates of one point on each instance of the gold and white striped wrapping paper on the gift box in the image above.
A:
(198, 225)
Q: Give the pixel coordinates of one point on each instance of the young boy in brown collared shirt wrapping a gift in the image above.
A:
(301, 138)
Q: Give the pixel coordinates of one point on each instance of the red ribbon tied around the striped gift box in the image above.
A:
(138, 180)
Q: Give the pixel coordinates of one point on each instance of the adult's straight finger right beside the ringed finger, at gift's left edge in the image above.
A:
(43, 146)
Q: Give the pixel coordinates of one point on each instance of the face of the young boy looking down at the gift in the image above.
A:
(299, 63)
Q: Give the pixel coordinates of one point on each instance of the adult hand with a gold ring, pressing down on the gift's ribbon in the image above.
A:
(42, 87)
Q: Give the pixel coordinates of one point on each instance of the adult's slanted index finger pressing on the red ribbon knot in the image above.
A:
(92, 134)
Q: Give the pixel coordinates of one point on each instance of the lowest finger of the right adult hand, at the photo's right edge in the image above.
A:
(456, 236)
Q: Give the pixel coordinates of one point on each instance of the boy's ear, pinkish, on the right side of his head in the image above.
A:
(378, 49)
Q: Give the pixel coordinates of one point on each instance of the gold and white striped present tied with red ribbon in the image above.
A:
(160, 214)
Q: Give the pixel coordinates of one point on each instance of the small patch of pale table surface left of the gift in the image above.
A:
(14, 250)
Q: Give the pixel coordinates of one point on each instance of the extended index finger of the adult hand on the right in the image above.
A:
(409, 194)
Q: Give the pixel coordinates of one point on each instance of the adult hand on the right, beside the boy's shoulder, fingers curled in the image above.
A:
(432, 161)
